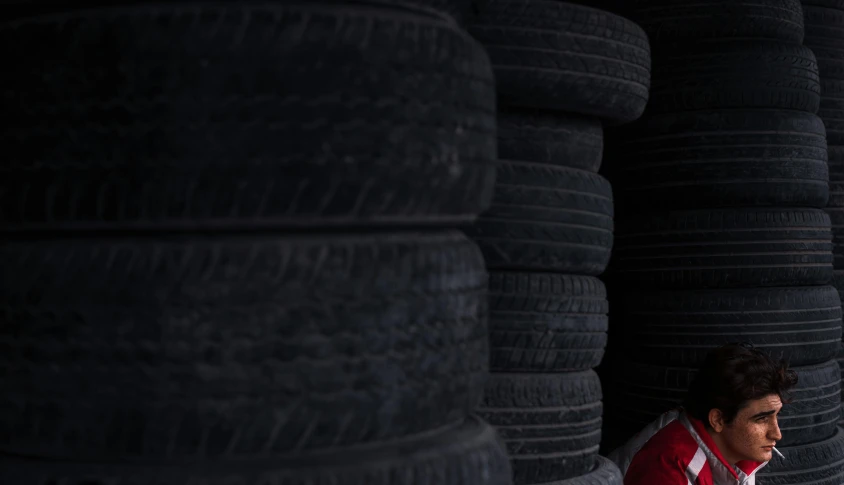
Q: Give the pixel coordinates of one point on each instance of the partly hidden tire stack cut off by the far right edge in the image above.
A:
(824, 21)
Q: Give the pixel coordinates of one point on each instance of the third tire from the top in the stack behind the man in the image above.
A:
(724, 158)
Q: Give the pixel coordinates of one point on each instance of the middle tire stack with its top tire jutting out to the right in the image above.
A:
(561, 71)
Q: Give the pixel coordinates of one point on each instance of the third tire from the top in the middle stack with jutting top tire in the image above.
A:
(547, 218)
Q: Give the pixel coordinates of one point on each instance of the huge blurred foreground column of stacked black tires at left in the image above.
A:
(190, 290)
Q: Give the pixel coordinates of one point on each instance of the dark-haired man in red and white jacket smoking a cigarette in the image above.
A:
(724, 433)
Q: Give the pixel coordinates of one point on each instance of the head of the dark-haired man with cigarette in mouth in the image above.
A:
(738, 393)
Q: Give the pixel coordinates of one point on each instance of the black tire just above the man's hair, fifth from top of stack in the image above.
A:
(678, 328)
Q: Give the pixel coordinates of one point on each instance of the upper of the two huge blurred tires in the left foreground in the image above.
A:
(195, 119)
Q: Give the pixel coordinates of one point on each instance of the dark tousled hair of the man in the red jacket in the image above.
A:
(731, 376)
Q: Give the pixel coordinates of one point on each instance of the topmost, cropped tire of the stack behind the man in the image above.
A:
(669, 21)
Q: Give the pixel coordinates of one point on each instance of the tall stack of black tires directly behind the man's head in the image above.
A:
(721, 233)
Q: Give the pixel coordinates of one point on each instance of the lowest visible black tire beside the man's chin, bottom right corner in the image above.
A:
(820, 463)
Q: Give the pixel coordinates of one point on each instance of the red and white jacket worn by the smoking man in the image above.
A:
(676, 450)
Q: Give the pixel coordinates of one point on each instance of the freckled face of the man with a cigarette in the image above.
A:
(754, 430)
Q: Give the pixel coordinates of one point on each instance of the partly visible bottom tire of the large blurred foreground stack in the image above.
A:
(467, 454)
